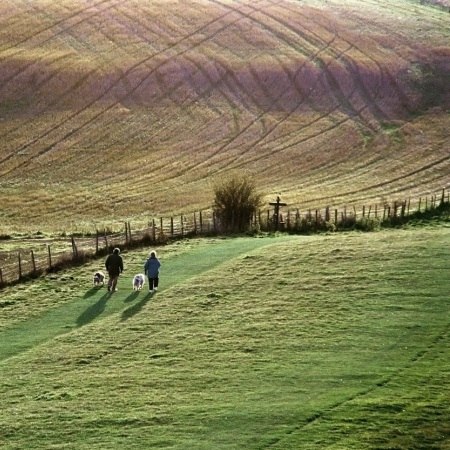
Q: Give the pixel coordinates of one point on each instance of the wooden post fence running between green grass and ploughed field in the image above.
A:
(25, 263)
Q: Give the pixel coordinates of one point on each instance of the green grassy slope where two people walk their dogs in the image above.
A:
(290, 342)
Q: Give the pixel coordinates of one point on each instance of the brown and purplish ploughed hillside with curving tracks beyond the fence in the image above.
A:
(113, 110)
